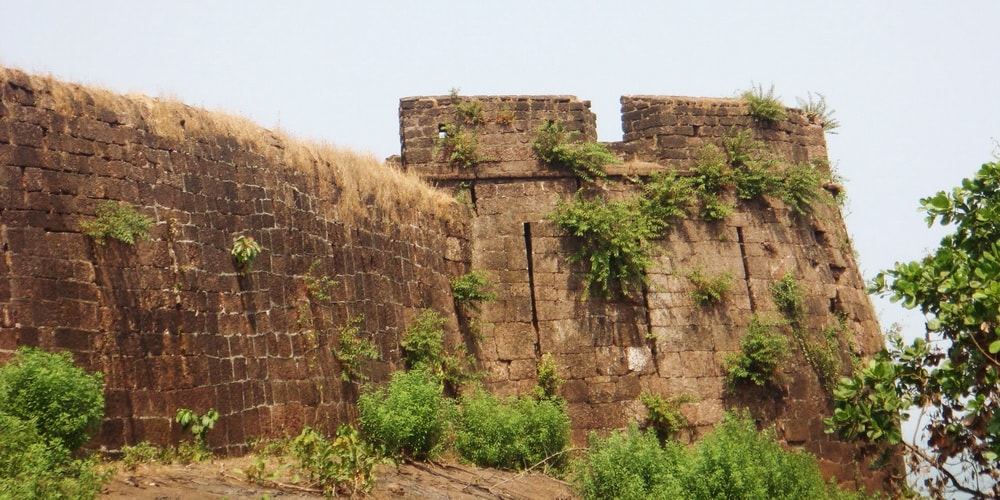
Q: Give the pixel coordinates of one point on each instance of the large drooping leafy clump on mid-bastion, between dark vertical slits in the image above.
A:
(614, 237)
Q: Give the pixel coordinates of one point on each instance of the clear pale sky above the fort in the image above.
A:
(914, 84)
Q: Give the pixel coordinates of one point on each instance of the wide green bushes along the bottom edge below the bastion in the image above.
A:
(733, 461)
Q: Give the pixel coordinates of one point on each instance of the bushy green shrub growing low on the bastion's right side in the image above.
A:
(762, 352)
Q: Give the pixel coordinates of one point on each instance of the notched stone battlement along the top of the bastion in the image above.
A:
(664, 130)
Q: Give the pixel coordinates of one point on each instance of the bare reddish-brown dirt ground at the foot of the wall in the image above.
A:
(223, 478)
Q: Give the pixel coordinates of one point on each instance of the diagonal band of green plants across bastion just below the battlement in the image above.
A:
(615, 235)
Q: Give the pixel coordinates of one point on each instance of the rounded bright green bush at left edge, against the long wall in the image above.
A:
(64, 402)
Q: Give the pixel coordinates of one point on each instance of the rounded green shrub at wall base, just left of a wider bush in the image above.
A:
(409, 417)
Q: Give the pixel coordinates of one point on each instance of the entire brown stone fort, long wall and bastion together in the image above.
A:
(171, 323)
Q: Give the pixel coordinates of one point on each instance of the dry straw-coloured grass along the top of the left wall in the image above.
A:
(362, 177)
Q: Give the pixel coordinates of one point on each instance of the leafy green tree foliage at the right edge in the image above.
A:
(953, 371)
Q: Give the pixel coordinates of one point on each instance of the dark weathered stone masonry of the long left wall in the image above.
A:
(169, 321)
